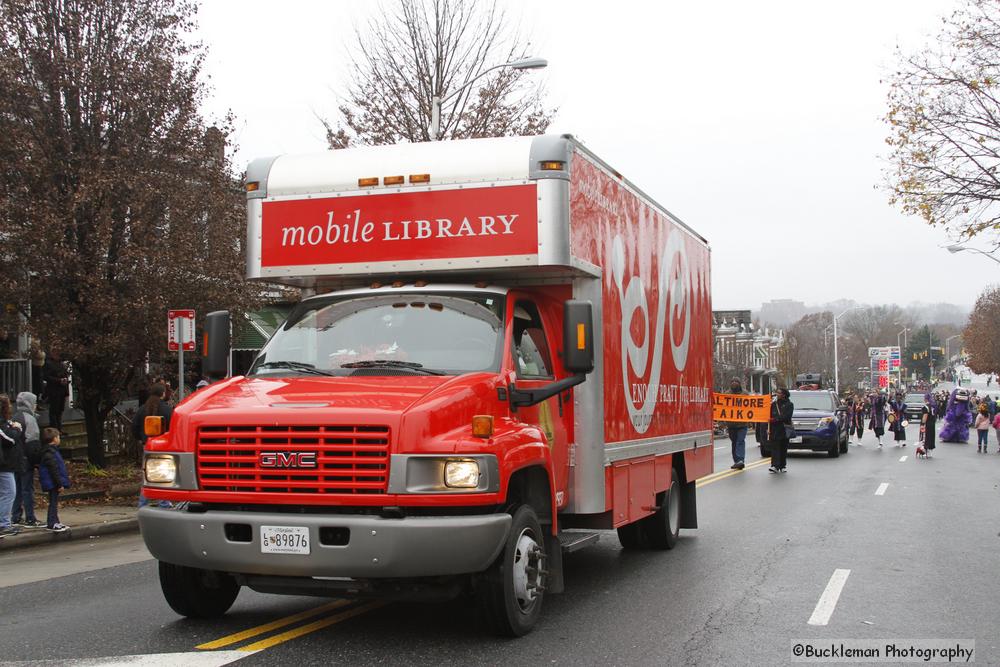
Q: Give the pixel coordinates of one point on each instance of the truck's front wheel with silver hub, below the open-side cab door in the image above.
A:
(510, 603)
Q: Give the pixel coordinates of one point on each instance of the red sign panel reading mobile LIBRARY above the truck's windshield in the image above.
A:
(440, 224)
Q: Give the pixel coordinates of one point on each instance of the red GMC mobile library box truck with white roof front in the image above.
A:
(504, 346)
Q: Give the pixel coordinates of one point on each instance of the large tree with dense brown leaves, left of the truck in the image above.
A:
(116, 200)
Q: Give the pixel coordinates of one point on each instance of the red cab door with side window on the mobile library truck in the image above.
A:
(533, 345)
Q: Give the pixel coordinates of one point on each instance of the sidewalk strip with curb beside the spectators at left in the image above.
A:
(85, 521)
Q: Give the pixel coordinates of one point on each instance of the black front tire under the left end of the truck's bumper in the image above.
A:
(197, 593)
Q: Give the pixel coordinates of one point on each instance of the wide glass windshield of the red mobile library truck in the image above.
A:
(399, 334)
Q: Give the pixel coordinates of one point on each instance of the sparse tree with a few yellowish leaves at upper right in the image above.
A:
(944, 120)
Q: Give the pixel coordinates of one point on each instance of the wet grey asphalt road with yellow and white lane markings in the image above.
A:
(922, 561)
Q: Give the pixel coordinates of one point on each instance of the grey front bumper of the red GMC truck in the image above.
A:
(376, 547)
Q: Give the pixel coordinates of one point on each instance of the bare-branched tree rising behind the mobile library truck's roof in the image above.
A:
(420, 49)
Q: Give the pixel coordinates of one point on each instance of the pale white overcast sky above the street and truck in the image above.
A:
(757, 123)
